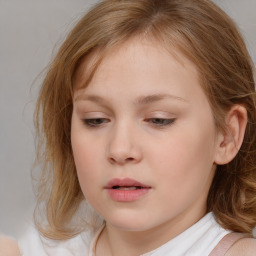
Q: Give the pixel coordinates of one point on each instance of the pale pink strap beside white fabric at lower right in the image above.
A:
(226, 242)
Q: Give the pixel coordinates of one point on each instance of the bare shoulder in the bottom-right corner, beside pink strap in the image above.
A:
(245, 247)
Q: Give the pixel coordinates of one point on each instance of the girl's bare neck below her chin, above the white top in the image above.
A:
(115, 242)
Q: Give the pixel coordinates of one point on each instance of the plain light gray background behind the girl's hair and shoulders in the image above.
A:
(30, 33)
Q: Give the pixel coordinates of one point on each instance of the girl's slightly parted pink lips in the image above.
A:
(126, 193)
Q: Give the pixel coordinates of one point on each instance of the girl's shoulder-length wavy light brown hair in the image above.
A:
(210, 39)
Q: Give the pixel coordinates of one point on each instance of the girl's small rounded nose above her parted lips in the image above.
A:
(124, 146)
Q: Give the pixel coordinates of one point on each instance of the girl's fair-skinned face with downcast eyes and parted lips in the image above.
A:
(144, 139)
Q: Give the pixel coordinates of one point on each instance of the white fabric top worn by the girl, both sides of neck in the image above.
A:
(198, 240)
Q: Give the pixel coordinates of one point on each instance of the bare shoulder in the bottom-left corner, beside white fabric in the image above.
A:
(8, 247)
